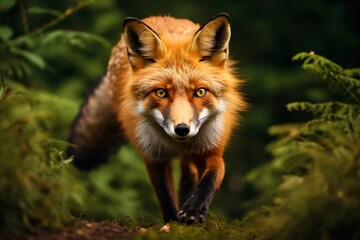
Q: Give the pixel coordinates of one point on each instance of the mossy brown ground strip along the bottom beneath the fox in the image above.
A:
(130, 228)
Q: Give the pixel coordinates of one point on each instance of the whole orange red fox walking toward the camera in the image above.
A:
(170, 89)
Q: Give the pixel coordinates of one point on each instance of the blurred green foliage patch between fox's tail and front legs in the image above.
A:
(120, 188)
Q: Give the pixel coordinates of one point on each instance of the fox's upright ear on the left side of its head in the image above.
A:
(142, 43)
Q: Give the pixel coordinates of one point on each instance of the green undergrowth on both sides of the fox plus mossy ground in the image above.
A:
(309, 189)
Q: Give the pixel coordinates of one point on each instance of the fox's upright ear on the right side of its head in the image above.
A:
(211, 41)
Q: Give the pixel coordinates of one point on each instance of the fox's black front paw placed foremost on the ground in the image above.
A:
(193, 211)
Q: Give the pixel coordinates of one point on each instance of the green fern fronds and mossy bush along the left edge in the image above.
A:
(36, 181)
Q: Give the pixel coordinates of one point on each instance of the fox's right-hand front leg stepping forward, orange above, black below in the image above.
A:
(195, 208)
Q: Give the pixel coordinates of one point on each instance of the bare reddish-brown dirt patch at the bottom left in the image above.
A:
(79, 230)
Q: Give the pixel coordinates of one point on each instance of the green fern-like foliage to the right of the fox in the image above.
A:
(317, 164)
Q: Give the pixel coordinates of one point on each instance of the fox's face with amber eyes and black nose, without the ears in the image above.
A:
(180, 103)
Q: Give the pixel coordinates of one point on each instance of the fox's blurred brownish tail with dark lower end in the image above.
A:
(95, 132)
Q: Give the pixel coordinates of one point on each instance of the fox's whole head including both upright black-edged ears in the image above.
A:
(182, 83)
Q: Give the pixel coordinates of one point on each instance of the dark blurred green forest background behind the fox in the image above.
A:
(265, 36)
